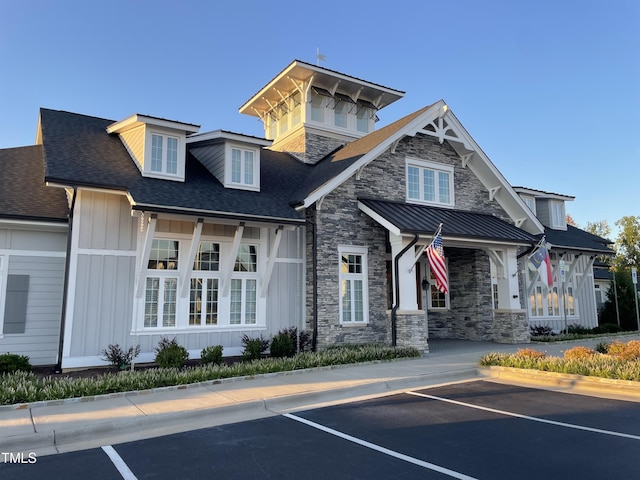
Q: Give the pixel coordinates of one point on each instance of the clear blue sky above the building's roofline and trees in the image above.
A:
(550, 89)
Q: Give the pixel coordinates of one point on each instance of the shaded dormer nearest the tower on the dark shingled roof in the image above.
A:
(233, 158)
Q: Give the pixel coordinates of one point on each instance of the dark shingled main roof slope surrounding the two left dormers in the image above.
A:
(79, 151)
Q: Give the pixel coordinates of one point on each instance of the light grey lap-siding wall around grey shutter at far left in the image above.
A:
(37, 255)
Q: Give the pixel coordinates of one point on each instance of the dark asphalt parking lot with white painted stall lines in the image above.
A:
(470, 430)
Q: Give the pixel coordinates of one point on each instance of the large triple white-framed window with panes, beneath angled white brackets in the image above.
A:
(206, 305)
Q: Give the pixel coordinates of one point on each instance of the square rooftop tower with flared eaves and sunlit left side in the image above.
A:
(308, 111)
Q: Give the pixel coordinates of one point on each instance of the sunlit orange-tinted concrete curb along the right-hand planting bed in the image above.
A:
(578, 383)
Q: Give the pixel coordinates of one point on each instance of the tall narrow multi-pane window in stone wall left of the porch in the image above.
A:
(353, 286)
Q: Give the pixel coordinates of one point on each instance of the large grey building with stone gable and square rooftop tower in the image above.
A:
(149, 229)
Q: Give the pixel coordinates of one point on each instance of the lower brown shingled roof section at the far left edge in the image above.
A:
(24, 194)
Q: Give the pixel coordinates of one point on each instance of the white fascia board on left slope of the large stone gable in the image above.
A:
(410, 129)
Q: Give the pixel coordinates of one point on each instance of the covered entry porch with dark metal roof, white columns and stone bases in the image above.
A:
(484, 299)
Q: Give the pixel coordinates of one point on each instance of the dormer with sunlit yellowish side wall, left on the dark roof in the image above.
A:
(157, 146)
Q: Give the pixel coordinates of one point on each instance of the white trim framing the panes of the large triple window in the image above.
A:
(182, 302)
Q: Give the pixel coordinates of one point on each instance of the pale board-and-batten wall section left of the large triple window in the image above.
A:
(102, 275)
